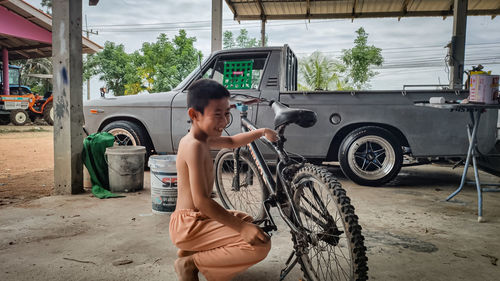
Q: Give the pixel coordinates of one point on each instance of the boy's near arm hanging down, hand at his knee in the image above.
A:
(202, 201)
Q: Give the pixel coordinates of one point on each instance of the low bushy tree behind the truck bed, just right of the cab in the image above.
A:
(319, 72)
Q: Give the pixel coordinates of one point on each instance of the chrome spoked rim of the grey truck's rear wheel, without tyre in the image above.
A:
(371, 157)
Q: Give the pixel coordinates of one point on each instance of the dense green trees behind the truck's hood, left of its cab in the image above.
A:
(157, 67)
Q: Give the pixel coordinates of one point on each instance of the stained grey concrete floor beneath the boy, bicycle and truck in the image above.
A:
(411, 234)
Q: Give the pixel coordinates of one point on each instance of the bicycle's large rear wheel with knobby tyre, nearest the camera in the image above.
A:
(332, 246)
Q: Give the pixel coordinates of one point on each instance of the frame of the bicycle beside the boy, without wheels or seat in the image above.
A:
(279, 191)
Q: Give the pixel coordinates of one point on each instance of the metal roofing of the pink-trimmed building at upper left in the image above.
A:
(20, 48)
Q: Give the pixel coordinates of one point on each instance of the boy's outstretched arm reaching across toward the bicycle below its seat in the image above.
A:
(242, 138)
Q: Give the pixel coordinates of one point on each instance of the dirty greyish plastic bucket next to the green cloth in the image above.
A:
(125, 168)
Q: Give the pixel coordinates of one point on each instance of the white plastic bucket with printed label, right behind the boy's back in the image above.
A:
(163, 183)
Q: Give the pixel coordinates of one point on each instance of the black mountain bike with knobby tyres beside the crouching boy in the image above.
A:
(327, 238)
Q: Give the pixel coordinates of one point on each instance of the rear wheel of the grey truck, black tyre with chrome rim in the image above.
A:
(370, 156)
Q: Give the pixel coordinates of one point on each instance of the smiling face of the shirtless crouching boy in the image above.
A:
(215, 117)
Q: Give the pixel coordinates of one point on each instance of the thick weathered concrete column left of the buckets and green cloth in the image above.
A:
(68, 95)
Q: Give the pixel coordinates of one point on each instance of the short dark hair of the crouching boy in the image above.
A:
(202, 91)
